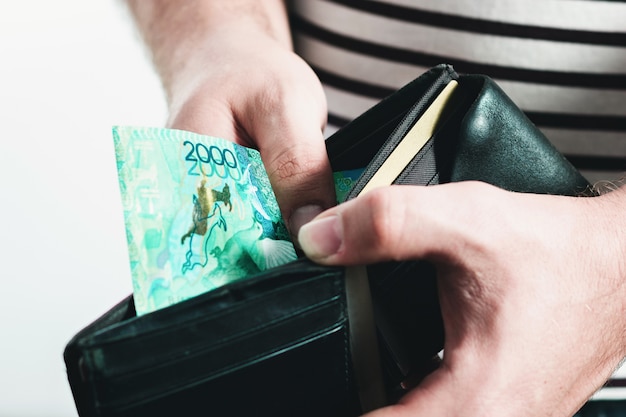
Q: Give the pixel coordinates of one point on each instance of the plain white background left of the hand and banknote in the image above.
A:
(69, 70)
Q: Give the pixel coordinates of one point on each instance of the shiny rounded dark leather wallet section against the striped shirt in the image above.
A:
(497, 143)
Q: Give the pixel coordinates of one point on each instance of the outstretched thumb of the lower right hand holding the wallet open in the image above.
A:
(388, 223)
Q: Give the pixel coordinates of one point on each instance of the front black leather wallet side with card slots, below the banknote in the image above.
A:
(273, 345)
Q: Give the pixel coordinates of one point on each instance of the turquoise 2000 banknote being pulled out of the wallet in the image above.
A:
(199, 213)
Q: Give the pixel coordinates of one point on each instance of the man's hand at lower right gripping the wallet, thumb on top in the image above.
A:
(532, 290)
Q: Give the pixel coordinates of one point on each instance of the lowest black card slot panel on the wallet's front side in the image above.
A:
(310, 379)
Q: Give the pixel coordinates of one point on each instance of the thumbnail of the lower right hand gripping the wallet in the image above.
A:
(321, 238)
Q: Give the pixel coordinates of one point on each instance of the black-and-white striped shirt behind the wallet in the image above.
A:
(562, 61)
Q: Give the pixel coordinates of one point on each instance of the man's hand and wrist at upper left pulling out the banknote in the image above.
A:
(229, 71)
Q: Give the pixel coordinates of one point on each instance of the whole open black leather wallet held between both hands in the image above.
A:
(282, 343)
